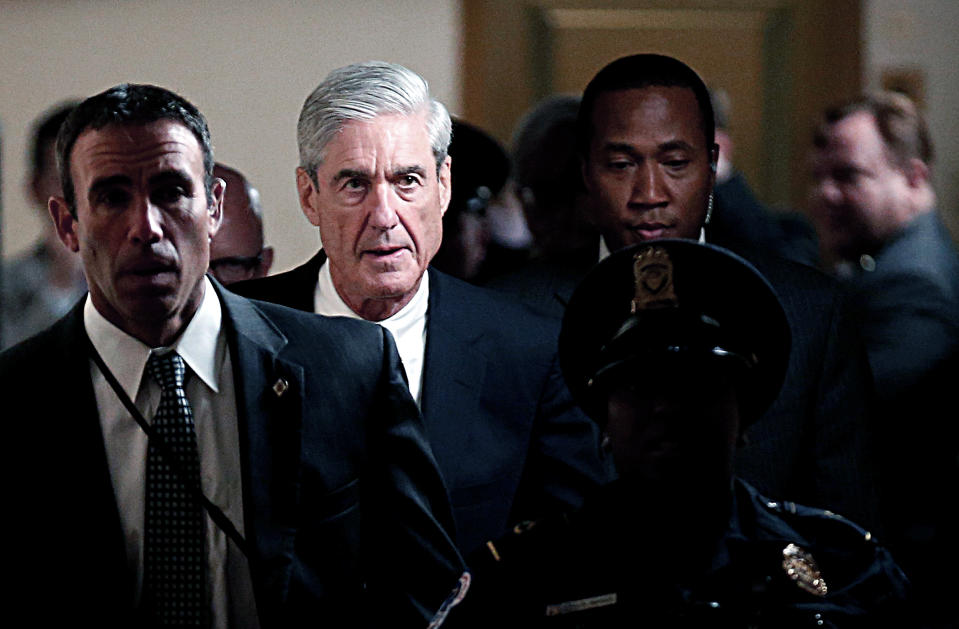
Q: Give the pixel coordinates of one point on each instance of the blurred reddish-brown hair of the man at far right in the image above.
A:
(900, 123)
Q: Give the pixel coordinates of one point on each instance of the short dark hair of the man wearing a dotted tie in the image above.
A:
(130, 104)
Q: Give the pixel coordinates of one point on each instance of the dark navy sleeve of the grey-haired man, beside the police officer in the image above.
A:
(565, 463)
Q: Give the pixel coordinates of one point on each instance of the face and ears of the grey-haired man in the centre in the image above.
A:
(379, 204)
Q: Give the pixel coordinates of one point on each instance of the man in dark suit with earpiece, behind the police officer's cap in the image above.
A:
(645, 137)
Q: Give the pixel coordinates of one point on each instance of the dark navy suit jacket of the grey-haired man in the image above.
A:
(509, 440)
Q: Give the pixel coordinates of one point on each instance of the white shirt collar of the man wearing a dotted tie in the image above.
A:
(200, 345)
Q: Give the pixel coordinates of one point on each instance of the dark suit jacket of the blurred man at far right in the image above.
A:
(909, 302)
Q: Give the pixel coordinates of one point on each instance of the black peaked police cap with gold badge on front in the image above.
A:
(668, 306)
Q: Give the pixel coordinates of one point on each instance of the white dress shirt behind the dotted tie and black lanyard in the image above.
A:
(209, 388)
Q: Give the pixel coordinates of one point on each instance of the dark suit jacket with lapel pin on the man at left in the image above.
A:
(338, 480)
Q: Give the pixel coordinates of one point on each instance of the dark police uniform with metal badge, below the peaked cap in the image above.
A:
(574, 572)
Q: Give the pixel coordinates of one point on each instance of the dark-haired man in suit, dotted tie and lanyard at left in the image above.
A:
(286, 478)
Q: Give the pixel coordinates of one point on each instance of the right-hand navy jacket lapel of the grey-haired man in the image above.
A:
(454, 366)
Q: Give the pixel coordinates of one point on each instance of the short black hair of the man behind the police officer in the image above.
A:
(639, 71)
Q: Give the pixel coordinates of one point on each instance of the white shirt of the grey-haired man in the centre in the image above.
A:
(408, 326)
